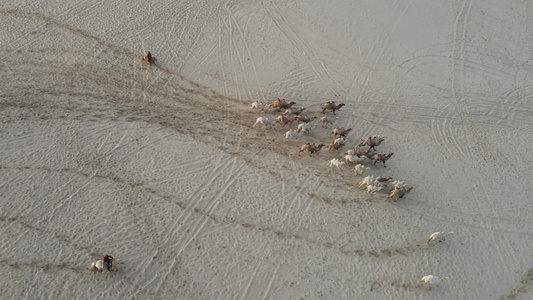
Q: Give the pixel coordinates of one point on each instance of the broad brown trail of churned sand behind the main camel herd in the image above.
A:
(169, 100)
